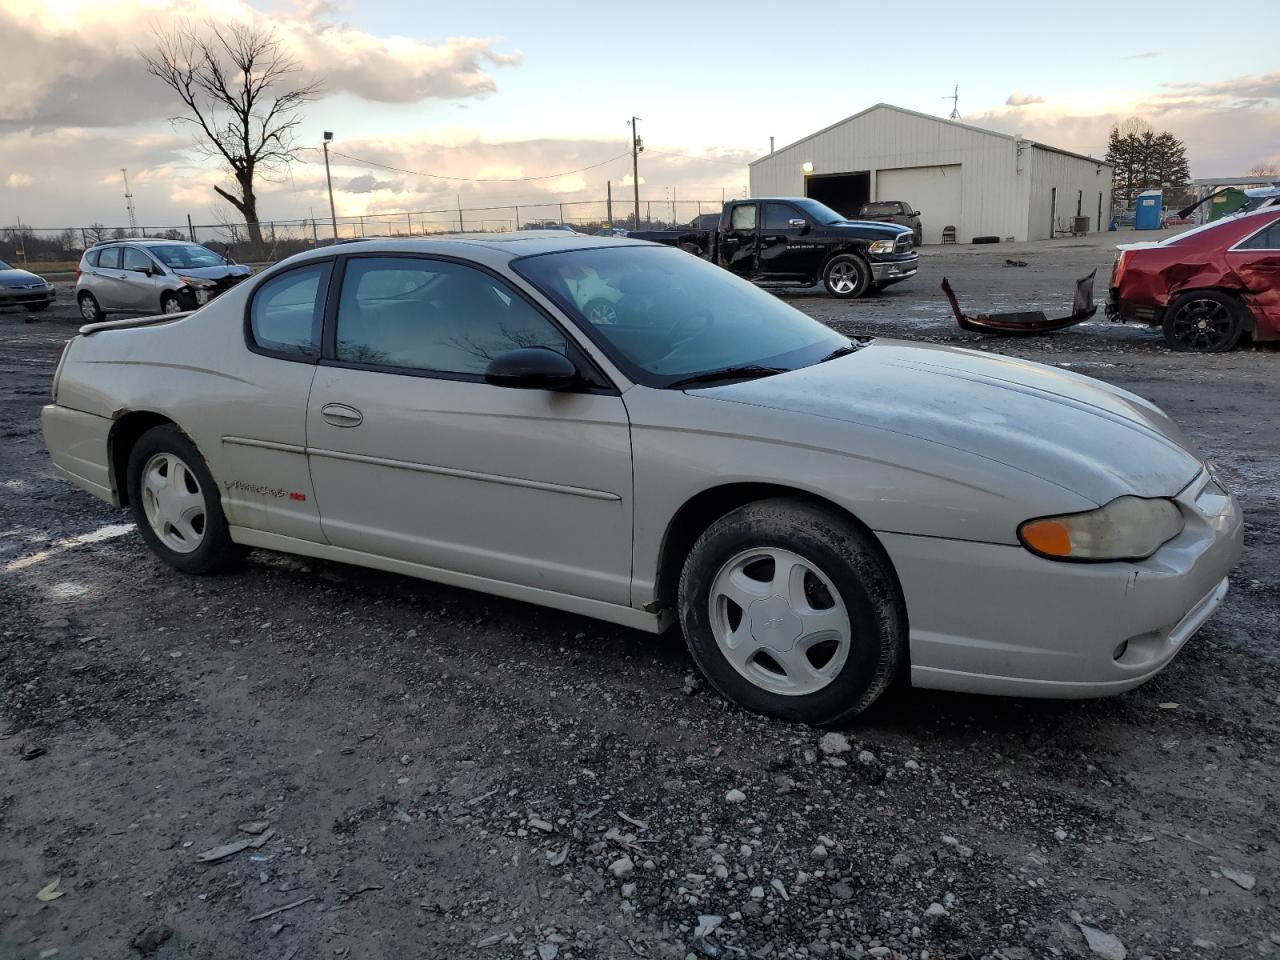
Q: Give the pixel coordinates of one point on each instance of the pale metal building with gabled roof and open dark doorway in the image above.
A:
(977, 181)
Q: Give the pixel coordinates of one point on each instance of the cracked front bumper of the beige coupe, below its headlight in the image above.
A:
(994, 619)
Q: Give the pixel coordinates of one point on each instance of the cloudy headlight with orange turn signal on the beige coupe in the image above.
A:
(1130, 528)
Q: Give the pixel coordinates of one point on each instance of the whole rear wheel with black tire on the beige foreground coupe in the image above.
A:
(182, 523)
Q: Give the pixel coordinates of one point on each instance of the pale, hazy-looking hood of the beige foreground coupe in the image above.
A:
(1082, 435)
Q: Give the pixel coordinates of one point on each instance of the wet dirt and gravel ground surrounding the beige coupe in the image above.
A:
(442, 775)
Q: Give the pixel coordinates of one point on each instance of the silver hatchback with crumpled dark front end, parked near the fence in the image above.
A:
(152, 277)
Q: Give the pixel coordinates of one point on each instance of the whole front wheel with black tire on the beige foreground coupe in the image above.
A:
(836, 577)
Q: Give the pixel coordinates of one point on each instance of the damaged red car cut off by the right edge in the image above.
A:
(1208, 287)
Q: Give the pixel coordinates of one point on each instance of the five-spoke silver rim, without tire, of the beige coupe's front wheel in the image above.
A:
(780, 621)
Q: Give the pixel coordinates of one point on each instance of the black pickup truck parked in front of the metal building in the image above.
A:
(799, 241)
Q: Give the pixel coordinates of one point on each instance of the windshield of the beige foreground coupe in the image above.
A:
(664, 316)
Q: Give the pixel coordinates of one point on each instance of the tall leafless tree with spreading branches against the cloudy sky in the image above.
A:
(237, 86)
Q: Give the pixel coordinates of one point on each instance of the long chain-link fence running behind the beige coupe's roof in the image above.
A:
(53, 248)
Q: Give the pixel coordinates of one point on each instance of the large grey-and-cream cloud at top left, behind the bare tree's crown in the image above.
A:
(77, 63)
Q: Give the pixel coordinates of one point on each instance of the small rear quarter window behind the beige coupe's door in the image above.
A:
(287, 312)
